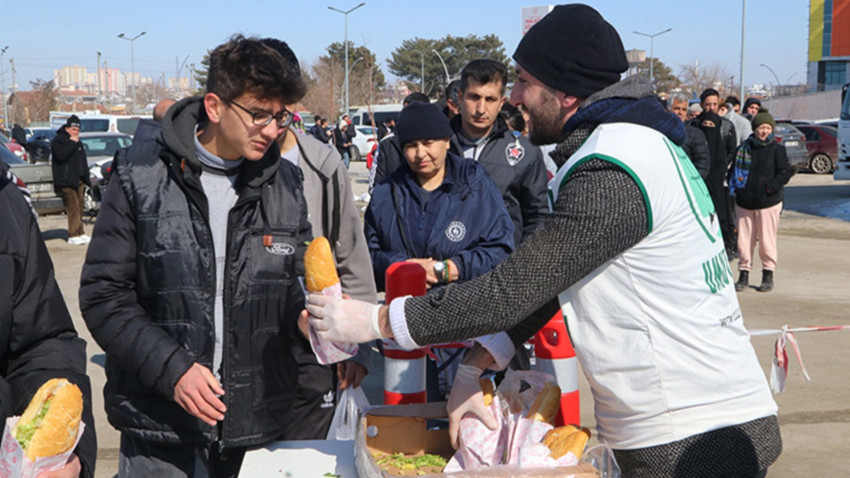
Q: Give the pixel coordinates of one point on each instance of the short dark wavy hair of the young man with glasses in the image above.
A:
(249, 65)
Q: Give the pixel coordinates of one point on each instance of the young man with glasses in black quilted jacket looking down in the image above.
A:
(191, 283)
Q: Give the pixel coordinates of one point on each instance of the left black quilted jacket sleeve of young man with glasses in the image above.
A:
(109, 304)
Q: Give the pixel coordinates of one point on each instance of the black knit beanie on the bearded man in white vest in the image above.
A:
(574, 50)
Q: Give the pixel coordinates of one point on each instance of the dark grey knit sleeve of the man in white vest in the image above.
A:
(599, 214)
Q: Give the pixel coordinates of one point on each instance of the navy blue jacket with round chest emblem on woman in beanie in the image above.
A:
(464, 220)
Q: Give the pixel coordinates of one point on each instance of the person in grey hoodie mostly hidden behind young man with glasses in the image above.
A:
(333, 214)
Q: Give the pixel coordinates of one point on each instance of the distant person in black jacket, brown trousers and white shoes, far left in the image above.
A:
(71, 176)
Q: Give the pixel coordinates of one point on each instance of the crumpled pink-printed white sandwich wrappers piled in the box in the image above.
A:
(516, 440)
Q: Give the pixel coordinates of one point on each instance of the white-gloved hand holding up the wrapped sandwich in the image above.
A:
(343, 321)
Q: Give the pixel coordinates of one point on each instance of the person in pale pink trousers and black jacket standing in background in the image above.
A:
(757, 184)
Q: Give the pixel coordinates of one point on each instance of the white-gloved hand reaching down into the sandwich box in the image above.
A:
(466, 397)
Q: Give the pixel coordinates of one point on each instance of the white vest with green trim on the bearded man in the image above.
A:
(658, 328)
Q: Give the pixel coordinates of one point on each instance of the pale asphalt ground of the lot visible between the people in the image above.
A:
(810, 290)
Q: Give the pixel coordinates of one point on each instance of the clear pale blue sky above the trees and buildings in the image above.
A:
(44, 35)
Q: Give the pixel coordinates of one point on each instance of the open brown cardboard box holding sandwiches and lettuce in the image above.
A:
(402, 429)
